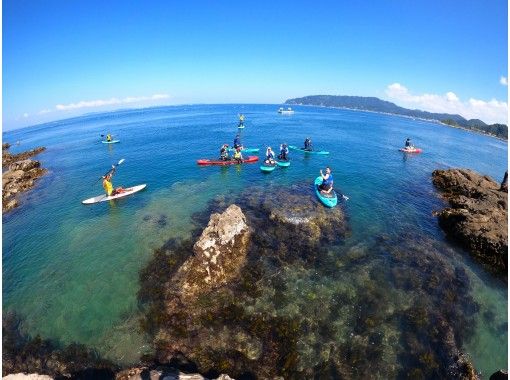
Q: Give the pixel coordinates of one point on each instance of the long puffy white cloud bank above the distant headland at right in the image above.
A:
(492, 111)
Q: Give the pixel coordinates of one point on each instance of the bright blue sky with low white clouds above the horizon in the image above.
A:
(63, 58)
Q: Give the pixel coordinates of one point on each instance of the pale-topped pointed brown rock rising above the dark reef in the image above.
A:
(219, 253)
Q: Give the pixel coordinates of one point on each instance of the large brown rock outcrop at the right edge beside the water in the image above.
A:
(478, 216)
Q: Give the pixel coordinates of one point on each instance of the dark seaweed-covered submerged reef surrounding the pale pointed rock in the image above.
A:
(310, 305)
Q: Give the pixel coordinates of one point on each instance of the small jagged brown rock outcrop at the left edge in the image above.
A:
(20, 176)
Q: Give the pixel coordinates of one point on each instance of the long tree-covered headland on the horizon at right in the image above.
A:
(377, 105)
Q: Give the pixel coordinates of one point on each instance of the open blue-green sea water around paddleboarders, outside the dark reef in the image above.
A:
(72, 270)
